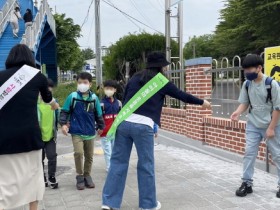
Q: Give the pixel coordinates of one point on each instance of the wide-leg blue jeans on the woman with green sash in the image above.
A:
(143, 138)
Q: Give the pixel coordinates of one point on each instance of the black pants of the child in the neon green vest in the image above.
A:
(49, 150)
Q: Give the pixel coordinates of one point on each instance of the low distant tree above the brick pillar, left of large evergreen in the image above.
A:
(201, 46)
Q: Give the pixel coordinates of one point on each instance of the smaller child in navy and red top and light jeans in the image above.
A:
(110, 108)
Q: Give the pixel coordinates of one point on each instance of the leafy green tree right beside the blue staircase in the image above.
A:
(69, 53)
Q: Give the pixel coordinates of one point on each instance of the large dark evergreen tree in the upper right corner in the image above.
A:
(248, 26)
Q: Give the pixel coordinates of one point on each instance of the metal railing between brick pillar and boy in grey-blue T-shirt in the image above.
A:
(227, 80)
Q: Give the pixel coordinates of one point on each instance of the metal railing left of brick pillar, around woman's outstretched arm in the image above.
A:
(177, 76)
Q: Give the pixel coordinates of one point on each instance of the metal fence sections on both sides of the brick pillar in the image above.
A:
(227, 80)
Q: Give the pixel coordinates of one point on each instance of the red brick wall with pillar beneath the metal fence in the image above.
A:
(198, 124)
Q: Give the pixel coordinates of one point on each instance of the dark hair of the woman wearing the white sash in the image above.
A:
(20, 55)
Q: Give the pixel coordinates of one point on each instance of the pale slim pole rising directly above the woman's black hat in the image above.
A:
(167, 30)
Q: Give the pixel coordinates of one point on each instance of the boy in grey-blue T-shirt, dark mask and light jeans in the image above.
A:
(261, 95)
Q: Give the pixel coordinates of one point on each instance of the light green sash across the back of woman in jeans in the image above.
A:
(145, 93)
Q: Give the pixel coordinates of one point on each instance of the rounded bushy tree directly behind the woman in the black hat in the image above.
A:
(133, 48)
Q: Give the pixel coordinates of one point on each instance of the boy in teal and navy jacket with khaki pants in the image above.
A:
(82, 110)
